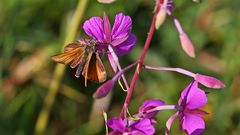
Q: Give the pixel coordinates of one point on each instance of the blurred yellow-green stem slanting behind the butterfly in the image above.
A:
(43, 116)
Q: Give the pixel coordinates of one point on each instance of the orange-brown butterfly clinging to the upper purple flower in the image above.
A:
(83, 55)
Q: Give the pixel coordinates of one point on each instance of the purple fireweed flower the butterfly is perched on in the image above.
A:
(117, 41)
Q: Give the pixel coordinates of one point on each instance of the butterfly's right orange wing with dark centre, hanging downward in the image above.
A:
(94, 69)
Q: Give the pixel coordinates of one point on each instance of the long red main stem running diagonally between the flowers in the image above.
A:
(123, 113)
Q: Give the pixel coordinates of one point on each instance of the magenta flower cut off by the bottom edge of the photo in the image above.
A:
(130, 127)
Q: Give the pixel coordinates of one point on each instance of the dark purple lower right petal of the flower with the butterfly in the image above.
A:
(125, 47)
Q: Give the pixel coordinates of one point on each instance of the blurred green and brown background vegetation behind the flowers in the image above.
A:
(31, 31)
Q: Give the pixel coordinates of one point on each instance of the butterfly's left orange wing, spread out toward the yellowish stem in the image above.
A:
(73, 54)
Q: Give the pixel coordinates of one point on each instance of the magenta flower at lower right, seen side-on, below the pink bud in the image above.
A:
(192, 98)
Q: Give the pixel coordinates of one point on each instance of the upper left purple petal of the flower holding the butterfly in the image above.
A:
(94, 28)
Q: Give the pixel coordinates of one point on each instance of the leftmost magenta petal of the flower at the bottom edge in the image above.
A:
(117, 124)
